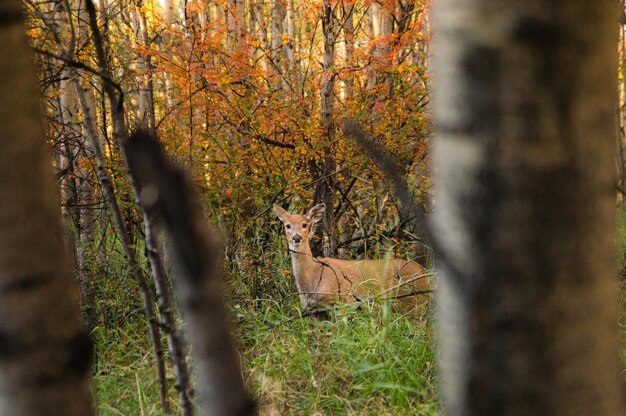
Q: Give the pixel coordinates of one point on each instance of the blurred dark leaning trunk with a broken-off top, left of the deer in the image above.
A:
(197, 250)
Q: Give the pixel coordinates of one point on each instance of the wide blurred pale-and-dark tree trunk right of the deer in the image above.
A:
(524, 225)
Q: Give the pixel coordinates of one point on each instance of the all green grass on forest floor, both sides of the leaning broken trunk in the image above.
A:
(370, 361)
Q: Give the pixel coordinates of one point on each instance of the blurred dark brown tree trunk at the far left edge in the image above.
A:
(44, 351)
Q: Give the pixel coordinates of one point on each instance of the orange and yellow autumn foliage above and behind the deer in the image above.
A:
(236, 93)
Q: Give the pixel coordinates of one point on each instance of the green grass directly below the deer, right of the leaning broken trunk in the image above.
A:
(370, 361)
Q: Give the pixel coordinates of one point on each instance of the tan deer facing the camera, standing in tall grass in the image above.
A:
(324, 282)
